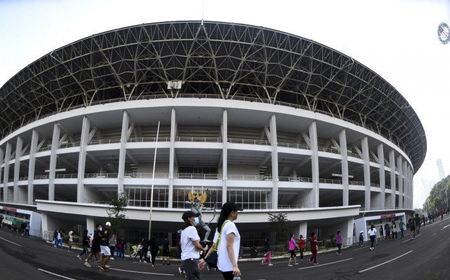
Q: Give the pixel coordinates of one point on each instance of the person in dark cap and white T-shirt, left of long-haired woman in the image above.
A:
(190, 247)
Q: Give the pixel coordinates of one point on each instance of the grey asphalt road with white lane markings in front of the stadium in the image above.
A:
(425, 257)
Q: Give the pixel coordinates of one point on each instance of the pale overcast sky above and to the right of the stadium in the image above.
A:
(395, 38)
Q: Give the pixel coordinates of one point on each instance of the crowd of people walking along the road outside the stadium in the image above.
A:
(223, 252)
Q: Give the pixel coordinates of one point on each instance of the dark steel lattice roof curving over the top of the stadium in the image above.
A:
(213, 60)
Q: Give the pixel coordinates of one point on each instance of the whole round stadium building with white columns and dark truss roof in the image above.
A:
(272, 121)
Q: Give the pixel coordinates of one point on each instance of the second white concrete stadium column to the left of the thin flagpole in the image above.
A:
(84, 139)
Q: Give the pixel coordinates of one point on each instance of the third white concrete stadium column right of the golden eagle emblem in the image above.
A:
(314, 198)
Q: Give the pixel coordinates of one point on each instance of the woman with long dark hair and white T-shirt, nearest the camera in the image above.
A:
(229, 243)
